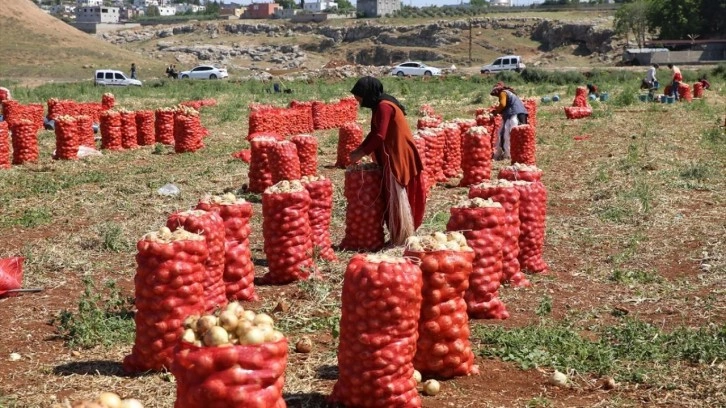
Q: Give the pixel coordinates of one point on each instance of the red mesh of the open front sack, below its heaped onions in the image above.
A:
(230, 377)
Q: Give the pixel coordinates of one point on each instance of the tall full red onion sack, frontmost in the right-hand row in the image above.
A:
(378, 333)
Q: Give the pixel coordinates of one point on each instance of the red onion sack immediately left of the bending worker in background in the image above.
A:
(476, 163)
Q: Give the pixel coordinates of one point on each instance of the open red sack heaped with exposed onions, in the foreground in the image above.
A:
(233, 358)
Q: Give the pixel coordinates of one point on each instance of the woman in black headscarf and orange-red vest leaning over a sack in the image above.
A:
(391, 143)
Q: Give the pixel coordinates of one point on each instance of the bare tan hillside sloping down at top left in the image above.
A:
(39, 46)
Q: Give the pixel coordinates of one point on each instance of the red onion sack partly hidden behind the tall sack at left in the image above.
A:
(209, 224)
